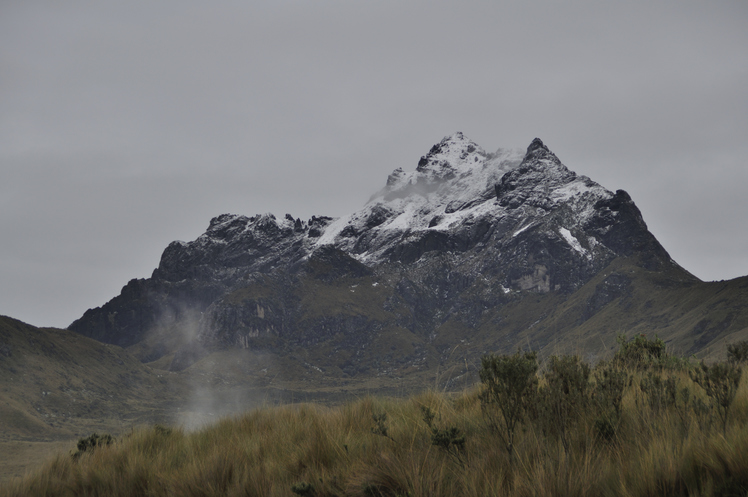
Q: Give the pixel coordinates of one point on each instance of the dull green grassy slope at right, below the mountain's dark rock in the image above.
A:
(692, 317)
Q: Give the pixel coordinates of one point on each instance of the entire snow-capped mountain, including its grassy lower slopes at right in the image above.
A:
(469, 253)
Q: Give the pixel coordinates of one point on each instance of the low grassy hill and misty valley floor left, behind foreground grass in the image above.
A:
(57, 386)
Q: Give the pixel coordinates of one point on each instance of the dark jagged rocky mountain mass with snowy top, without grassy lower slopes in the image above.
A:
(461, 237)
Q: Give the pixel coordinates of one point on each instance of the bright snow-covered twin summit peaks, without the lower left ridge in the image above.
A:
(454, 184)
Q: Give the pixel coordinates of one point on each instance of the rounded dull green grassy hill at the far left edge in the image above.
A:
(56, 384)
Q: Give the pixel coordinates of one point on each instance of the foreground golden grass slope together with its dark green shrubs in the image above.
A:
(643, 424)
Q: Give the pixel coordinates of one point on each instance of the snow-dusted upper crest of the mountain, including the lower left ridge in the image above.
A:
(458, 196)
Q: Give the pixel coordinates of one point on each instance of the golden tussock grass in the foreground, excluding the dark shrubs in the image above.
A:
(314, 450)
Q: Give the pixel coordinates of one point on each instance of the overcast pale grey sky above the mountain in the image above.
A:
(126, 125)
